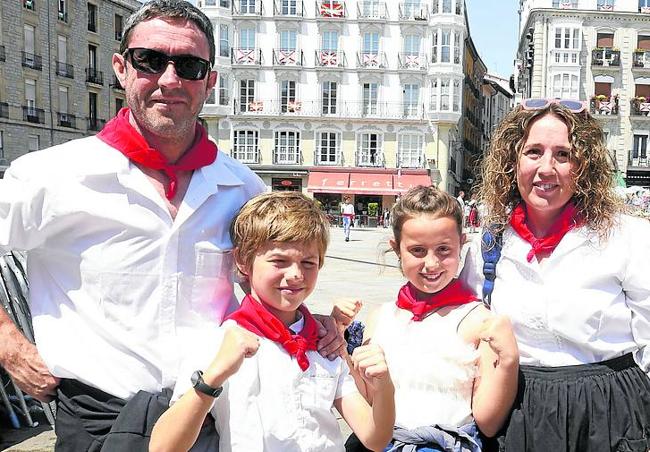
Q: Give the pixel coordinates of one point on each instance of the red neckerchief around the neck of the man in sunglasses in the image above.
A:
(121, 135)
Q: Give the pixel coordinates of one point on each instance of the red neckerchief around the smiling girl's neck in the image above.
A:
(454, 294)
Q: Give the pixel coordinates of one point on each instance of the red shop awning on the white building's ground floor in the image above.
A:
(369, 183)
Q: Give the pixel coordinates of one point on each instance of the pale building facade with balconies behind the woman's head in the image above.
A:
(597, 51)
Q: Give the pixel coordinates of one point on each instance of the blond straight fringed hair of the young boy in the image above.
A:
(278, 217)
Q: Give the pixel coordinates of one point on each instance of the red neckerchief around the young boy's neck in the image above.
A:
(253, 316)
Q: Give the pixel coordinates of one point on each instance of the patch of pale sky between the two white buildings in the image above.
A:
(493, 27)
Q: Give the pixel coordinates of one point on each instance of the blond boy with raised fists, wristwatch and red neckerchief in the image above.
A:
(268, 388)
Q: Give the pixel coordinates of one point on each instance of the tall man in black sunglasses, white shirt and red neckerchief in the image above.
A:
(127, 237)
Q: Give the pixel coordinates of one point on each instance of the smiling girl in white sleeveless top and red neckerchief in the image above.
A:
(454, 365)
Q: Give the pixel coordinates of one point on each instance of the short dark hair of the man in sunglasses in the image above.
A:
(169, 9)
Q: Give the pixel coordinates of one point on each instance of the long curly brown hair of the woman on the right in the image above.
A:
(594, 195)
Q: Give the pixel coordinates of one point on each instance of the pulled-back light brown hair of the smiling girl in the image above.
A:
(423, 200)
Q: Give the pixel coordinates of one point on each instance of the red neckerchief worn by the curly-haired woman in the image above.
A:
(567, 220)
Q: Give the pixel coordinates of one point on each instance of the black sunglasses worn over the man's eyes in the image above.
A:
(151, 61)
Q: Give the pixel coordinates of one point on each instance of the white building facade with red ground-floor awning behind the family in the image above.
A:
(340, 98)
